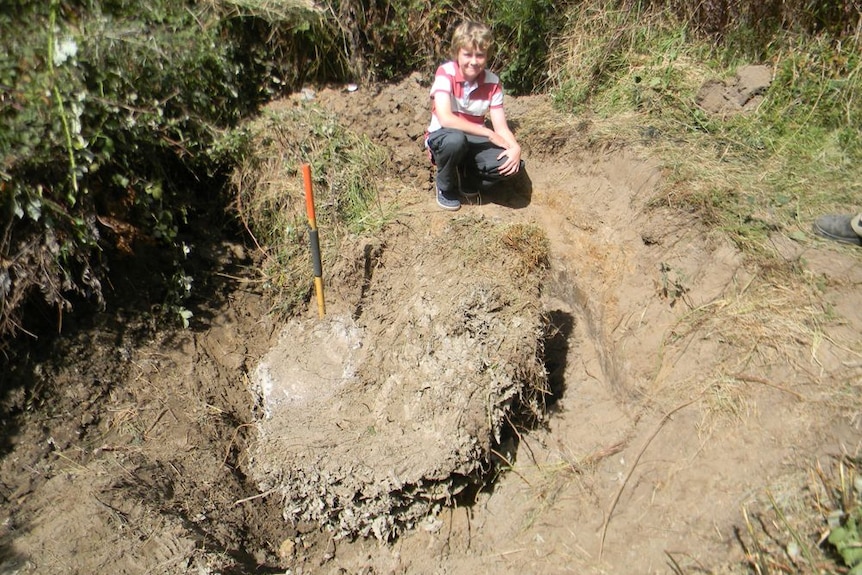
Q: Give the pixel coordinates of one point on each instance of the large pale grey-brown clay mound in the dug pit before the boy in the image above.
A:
(374, 418)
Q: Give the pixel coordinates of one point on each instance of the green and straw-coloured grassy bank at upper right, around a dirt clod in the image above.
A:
(639, 68)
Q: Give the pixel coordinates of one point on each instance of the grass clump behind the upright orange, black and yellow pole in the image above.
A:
(270, 196)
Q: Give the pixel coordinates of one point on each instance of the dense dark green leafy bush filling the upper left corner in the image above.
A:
(109, 114)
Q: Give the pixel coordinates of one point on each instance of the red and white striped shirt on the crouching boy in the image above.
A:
(470, 100)
